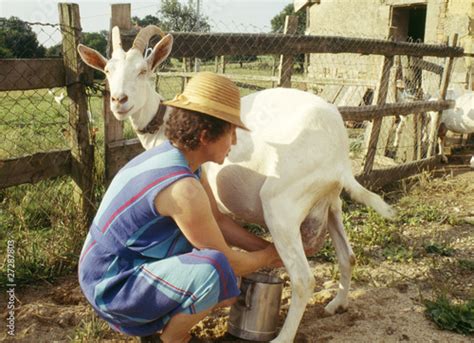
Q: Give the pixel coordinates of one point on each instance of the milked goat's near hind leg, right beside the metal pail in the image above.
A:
(284, 226)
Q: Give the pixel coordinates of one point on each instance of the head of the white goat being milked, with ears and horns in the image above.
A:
(129, 73)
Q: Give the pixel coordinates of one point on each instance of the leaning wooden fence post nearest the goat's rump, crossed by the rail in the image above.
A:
(377, 124)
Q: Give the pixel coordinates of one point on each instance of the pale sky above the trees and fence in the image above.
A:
(223, 15)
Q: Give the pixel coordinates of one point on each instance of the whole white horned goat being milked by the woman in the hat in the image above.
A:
(287, 173)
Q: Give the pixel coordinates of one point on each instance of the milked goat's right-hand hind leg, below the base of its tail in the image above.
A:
(345, 258)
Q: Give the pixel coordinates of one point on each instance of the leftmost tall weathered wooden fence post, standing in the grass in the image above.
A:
(82, 151)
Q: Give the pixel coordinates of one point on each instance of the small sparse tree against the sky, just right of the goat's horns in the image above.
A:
(178, 17)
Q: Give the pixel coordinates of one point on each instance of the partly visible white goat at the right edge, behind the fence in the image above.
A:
(459, 119)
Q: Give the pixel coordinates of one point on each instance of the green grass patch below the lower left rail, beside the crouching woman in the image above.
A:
(42, 221)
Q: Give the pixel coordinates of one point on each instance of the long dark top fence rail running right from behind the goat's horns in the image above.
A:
(206, 45)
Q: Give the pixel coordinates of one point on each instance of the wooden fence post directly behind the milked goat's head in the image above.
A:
(113, 128)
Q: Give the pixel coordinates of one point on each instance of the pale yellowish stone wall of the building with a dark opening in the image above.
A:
(371, 19)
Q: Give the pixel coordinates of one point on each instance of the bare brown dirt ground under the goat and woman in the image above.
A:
(385, 299)
